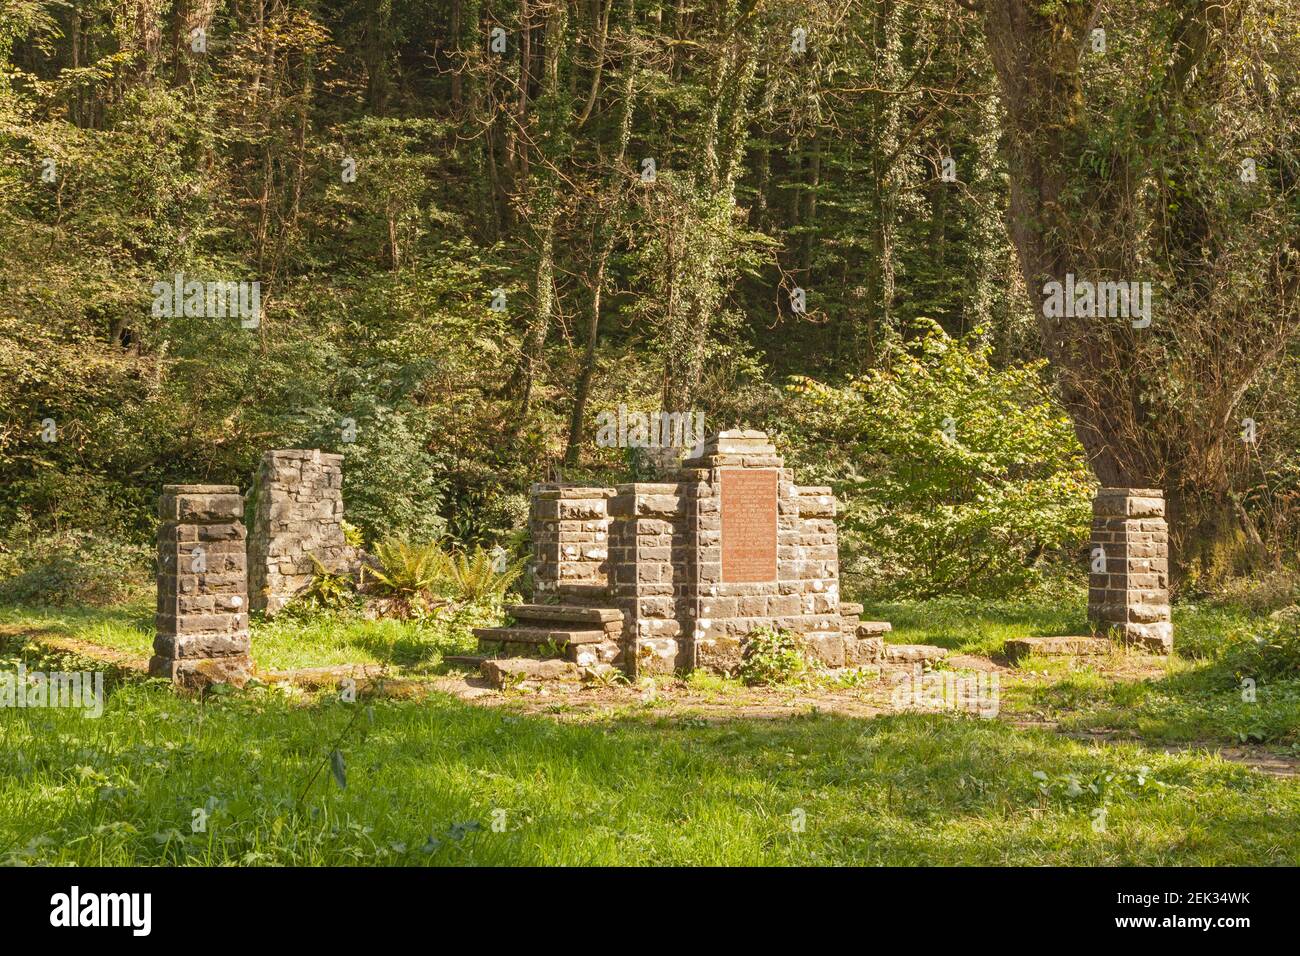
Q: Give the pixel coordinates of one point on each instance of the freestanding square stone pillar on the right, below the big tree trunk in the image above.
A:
(1129, 564)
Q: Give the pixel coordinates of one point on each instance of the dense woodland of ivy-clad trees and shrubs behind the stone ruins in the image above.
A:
(963, 432)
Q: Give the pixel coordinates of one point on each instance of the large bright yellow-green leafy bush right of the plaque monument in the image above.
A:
(955, 475)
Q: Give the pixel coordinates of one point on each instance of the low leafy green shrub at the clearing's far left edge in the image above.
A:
(73, 569)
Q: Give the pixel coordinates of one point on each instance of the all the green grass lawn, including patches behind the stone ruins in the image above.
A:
(428, 778)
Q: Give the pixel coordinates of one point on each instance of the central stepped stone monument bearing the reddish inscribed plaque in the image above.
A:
(671, 576)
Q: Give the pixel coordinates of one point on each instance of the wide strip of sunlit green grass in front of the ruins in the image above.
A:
(898, 790)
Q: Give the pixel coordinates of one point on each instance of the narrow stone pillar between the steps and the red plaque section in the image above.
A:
(651, 557)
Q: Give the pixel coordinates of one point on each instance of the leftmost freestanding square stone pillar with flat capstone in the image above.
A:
(202, 616)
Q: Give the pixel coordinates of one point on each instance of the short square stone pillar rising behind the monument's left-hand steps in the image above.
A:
(570, 526)
